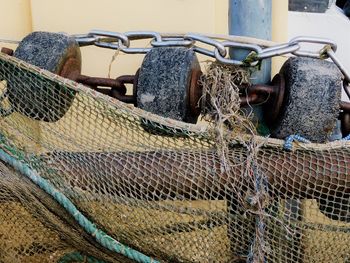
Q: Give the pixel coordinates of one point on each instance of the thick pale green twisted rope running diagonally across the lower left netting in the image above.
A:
(101, 237)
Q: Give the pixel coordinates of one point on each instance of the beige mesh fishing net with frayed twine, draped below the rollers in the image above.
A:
(176, 192)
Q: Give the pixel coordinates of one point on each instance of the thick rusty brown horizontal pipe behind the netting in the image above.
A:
(198, 175)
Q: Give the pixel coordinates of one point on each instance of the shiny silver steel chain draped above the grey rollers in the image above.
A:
(219, 50)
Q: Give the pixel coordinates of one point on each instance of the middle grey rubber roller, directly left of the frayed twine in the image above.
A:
(164, 81)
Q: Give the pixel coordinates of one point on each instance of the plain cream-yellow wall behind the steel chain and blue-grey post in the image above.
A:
(80, 16)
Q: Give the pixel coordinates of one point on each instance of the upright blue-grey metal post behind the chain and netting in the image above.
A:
(252, 18)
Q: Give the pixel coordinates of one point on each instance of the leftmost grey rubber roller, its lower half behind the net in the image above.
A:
(37, 97)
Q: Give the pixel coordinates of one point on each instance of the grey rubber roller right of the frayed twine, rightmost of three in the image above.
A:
(312, 99)
